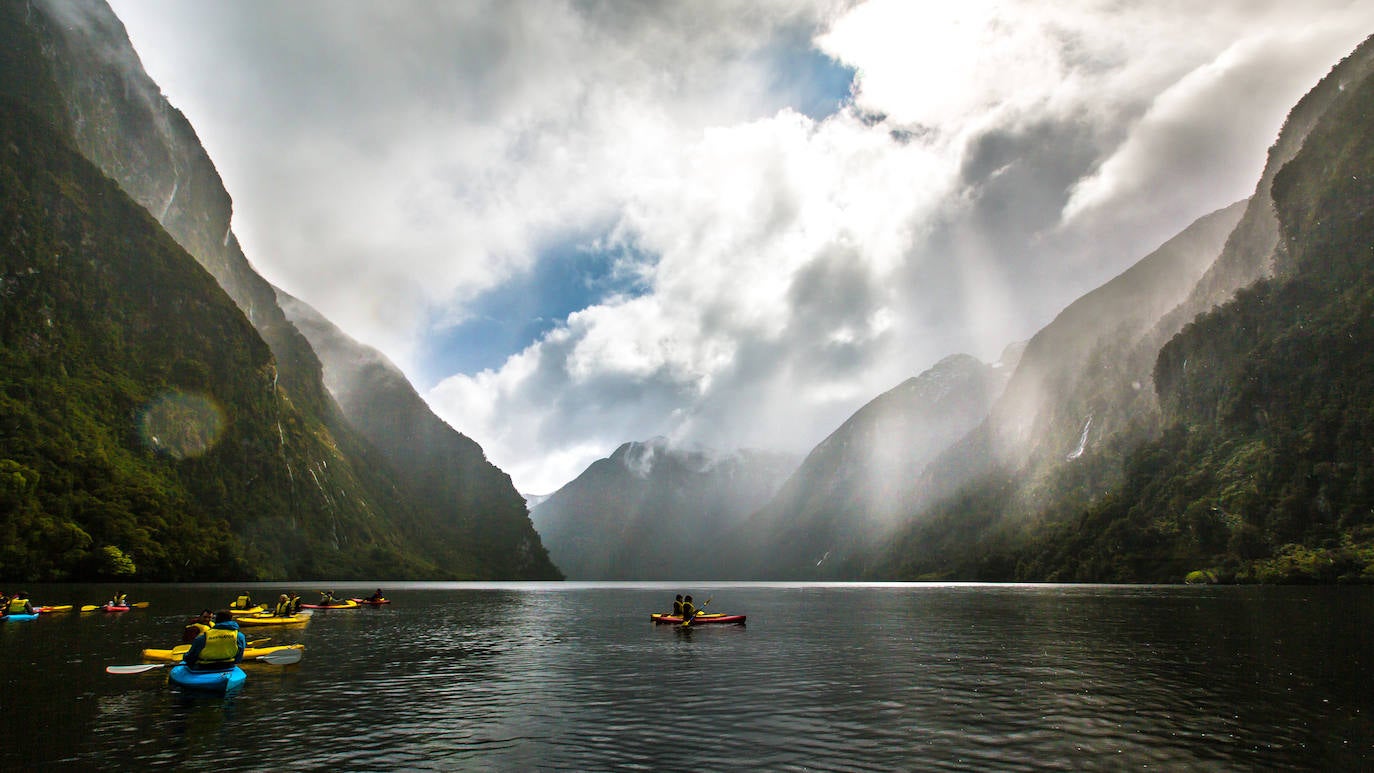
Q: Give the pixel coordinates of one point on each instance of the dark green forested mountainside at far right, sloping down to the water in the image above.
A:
(1257, 452)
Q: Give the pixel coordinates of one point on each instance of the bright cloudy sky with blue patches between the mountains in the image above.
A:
(732, 224)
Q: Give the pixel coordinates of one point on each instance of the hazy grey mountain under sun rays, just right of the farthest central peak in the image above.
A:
(843, 500)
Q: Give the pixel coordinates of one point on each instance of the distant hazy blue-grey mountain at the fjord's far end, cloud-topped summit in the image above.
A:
(653, 511)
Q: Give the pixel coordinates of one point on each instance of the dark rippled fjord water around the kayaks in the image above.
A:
(824, 678)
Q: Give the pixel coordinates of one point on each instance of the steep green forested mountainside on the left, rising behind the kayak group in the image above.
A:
(148, 429)
